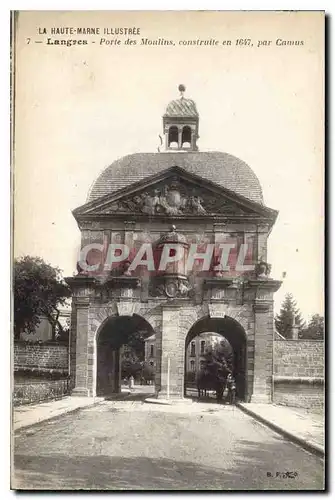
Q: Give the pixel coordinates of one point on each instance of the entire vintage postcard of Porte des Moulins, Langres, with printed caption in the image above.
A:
(168, 178)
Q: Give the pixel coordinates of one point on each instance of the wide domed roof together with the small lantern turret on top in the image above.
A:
(180, 124)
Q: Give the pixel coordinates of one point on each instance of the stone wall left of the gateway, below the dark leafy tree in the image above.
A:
(40, 356)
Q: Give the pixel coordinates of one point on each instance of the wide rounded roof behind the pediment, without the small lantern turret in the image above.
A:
(222, 168)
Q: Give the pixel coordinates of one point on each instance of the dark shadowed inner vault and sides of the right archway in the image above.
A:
(234, 333)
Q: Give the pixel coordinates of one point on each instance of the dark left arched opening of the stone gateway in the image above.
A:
(120, 347)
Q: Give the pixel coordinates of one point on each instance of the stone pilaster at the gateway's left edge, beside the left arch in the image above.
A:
(81, 388)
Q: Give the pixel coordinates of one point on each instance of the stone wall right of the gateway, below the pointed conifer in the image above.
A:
(299, 373)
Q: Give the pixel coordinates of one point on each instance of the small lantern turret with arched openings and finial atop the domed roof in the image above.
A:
(181, 124)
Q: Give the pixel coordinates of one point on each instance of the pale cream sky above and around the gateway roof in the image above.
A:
(79, 108)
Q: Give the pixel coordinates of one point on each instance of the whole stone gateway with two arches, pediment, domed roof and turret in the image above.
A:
(176, 201)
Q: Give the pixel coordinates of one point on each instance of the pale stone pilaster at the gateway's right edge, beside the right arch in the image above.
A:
(263, 354)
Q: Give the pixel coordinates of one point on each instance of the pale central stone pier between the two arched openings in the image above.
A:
(172, 355)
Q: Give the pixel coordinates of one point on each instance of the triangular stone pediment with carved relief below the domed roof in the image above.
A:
(174, 193)
